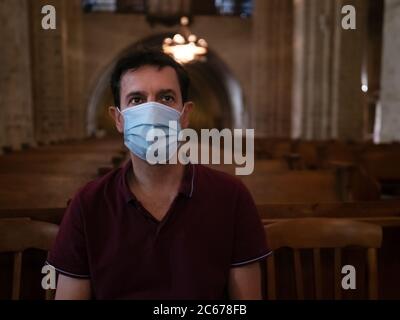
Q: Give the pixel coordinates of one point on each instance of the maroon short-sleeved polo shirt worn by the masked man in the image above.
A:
(108, 236)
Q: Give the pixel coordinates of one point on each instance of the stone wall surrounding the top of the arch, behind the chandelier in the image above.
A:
(230, 38)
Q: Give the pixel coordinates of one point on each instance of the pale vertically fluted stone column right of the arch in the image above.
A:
(312, 70)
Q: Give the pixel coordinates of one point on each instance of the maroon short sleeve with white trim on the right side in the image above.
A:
(249, 237)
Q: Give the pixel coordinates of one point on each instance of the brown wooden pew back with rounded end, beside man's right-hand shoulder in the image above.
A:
(272, 181)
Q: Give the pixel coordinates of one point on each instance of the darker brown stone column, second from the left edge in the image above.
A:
(48, 61)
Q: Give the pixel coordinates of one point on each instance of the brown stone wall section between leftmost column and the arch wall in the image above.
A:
(58, 72)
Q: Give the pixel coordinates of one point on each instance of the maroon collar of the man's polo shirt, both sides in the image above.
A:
(186, 188)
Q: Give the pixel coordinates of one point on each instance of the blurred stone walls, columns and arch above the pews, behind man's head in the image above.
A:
(286, 68)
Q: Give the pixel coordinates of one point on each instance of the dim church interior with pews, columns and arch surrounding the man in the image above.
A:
(317, 80)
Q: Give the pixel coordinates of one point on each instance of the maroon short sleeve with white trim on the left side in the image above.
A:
(69, 253)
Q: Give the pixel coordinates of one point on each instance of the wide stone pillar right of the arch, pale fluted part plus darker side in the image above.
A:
(327, 96)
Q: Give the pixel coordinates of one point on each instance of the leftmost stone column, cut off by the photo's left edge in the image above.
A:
(15, 76)
